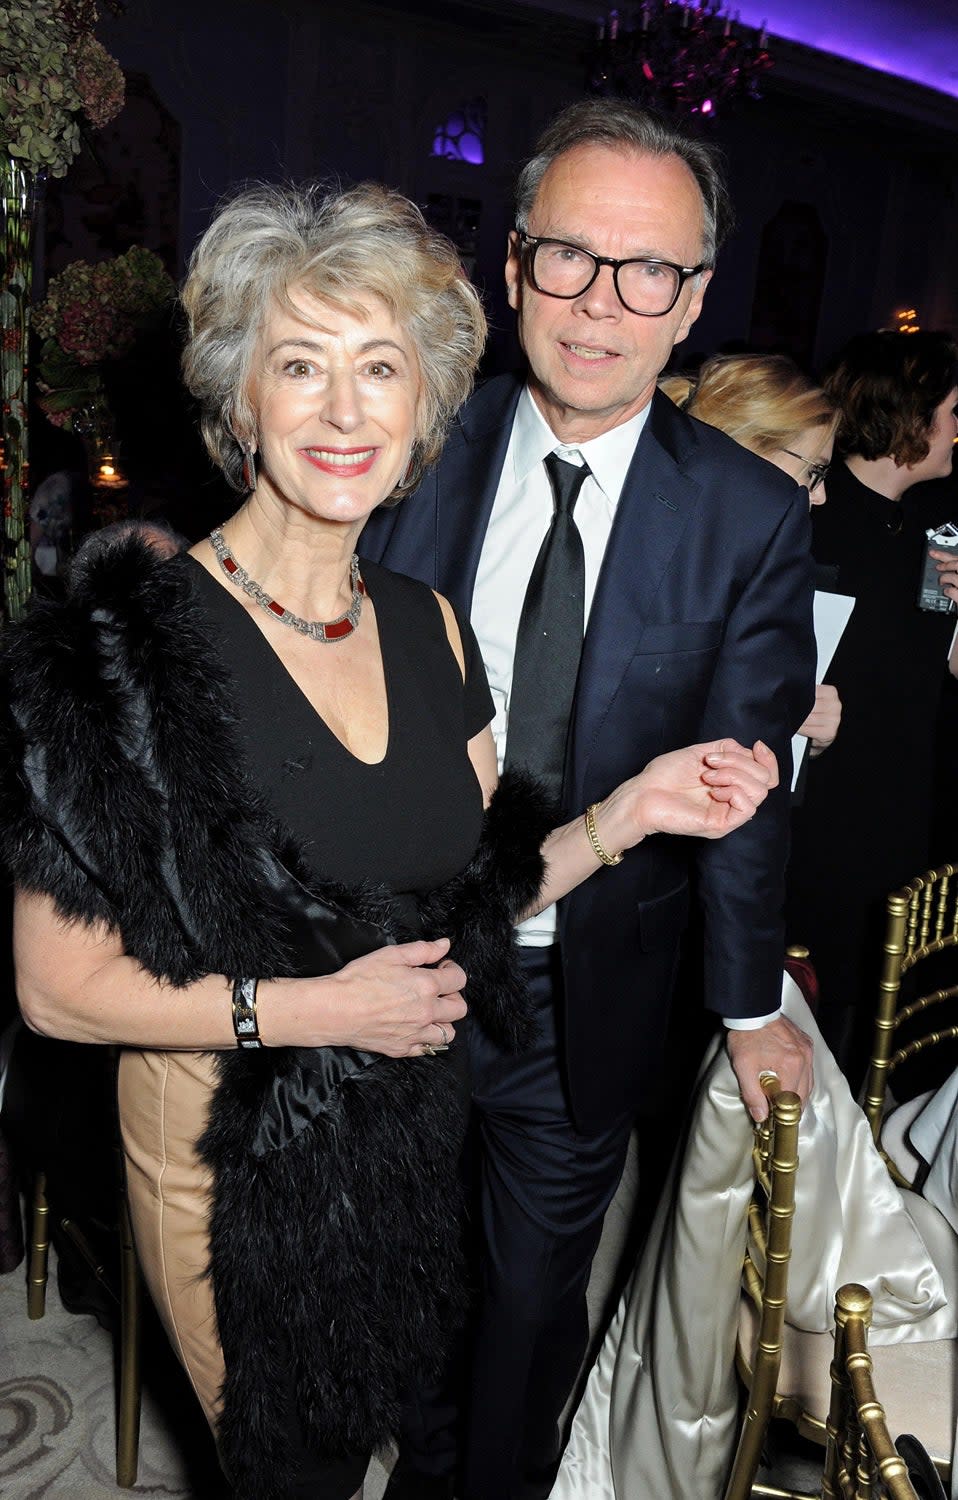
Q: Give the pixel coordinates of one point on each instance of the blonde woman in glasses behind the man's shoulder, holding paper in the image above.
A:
(767, 404)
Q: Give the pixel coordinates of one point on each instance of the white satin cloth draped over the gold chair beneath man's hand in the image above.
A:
(660, 1412)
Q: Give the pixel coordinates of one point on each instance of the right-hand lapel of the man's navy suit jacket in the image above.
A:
(656, 509)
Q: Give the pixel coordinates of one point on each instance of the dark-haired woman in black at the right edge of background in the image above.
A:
(864, 827)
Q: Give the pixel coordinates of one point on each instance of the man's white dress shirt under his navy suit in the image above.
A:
(521, 517)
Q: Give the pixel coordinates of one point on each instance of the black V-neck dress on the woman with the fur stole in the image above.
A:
(409, 823)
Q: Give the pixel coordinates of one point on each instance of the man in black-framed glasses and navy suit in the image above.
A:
(693, 575)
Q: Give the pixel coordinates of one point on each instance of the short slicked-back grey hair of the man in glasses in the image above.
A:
(626, 128)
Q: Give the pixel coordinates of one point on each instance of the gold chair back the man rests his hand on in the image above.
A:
(765, 1274)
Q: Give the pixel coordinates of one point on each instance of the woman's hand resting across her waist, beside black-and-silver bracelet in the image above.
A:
(386, 1001)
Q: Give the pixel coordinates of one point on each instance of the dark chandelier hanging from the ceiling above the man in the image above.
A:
(678, 59)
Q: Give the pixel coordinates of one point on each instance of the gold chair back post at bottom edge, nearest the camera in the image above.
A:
(861, 1462)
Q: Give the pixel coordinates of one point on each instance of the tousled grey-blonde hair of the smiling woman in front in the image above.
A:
(343, 247)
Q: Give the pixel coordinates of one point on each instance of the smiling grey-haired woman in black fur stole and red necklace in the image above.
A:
(248, 821)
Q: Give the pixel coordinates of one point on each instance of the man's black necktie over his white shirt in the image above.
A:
(549, 640)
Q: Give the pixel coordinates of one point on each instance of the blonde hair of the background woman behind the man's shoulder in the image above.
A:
(764, 401)
